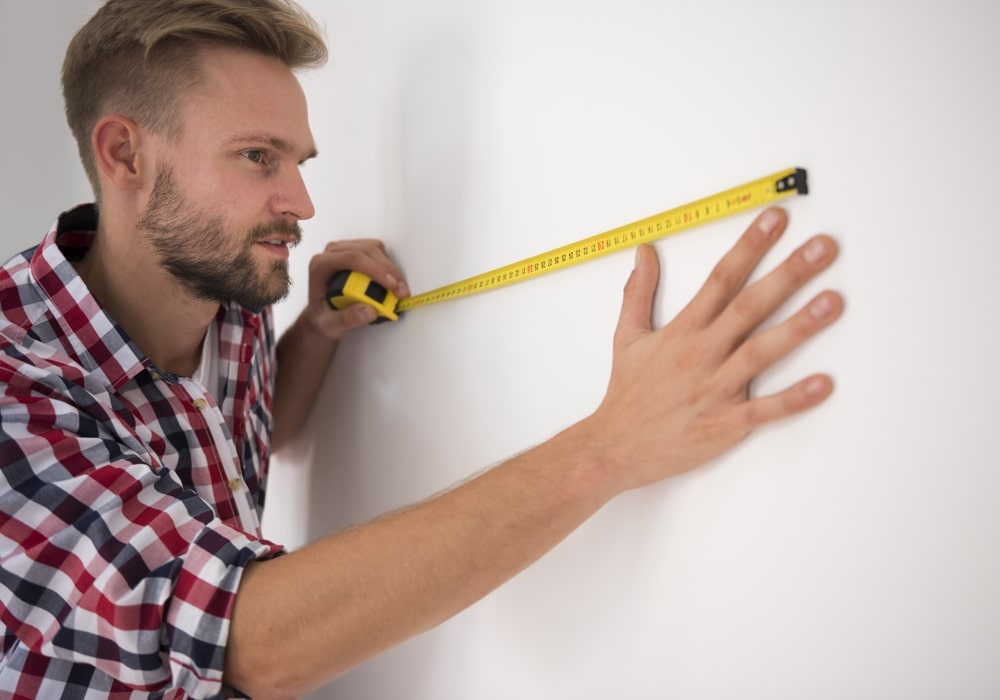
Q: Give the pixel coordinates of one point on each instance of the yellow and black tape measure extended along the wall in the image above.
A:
(349, 287)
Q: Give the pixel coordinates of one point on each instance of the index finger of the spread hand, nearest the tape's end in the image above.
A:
(735, 267)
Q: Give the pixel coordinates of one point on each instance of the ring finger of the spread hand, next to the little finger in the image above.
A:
(764, 349)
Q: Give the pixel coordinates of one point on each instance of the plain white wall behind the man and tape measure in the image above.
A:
(848, 553)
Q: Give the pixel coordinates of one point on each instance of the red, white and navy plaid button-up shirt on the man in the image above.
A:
(130, 498)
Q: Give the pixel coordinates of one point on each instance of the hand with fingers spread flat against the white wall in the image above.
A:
(679, 396)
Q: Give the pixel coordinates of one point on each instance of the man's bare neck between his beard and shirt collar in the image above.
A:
(165, 321)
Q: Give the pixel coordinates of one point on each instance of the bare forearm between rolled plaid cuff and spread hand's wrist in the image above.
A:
(344, 599)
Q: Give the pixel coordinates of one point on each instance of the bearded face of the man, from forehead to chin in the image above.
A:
(228, 194)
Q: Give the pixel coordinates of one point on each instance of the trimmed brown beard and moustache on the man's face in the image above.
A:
(194, 247)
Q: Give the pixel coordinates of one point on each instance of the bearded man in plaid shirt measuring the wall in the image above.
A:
(135, 428)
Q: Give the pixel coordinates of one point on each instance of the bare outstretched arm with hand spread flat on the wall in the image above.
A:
(677, 398)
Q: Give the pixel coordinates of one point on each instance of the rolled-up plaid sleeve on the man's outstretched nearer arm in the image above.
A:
(107, 560)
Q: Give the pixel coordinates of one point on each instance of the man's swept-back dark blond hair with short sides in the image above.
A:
(137, 57)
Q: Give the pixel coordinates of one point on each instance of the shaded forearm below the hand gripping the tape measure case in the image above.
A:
(304, 355)
